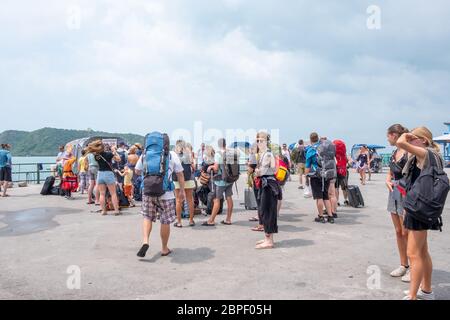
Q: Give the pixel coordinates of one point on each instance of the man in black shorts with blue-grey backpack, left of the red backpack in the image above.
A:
(320, 170)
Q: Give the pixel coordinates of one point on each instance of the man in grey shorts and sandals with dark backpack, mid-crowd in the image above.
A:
(226, 165)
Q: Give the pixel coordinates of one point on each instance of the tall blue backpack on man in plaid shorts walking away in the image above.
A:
(156, 165)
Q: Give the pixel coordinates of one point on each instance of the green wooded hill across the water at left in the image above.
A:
(45, 141)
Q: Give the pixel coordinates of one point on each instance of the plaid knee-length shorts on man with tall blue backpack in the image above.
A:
(155, 208)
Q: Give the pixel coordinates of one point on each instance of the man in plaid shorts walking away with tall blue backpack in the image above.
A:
(157, 164)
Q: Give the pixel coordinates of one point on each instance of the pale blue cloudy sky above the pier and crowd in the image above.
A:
(290, 66)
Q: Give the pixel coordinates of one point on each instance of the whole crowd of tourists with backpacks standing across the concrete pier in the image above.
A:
(172, 184)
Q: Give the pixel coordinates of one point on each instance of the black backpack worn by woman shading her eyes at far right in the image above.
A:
(425, 199)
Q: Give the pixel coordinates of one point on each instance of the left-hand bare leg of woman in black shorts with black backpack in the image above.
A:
(416, 249)
